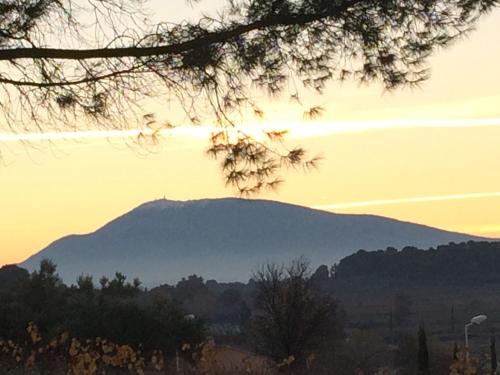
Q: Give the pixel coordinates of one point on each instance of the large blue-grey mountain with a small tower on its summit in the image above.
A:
(225, 239)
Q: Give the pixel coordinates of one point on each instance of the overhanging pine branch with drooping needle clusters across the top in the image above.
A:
(52, 73)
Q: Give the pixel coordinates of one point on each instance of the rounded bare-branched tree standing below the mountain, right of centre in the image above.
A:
(292, 318)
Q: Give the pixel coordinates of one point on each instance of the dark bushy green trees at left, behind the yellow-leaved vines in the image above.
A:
(115, 312)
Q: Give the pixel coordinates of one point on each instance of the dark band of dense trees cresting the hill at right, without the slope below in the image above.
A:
(463, 264)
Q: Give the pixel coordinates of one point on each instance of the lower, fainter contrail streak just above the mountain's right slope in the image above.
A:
(425, 199)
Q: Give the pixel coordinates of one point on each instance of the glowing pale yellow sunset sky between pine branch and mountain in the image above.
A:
(427, 155)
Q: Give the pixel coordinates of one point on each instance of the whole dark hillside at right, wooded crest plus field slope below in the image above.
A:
(442, 287)
